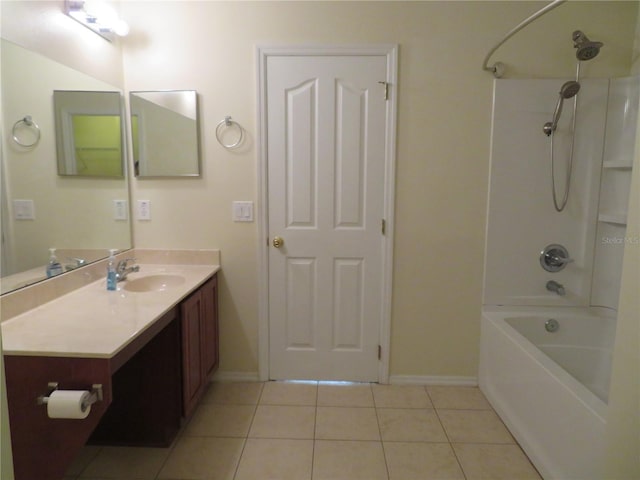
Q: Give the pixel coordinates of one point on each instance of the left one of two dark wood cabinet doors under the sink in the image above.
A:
(191, 310)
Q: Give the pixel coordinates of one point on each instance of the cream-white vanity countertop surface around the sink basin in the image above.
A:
(94, 322)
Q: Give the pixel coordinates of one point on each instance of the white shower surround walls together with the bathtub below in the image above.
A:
(558, 420)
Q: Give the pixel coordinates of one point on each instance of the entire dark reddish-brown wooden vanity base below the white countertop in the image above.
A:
(148, 386)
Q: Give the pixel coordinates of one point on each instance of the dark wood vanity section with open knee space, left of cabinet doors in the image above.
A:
(140, 406)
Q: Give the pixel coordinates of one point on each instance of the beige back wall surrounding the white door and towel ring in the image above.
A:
(444, 122)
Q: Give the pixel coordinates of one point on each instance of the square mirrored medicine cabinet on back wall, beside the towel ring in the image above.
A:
(164, 131)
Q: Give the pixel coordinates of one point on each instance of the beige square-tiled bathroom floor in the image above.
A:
(317, 431)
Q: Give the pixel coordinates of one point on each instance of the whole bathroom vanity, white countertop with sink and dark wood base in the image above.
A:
(151, 346)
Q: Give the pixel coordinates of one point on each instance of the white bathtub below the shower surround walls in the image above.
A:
(550, 389)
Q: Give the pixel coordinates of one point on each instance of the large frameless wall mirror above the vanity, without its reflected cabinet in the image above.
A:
(82, 217)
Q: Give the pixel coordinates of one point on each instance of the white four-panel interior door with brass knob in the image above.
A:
(326, 133)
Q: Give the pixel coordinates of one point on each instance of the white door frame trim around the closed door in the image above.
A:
(262, 55)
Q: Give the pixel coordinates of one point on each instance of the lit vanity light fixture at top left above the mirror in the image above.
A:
(98, 16)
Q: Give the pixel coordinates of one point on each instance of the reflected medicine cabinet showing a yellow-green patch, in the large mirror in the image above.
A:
(89, 133)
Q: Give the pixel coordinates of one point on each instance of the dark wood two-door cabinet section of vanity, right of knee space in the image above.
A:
(200, 353)
